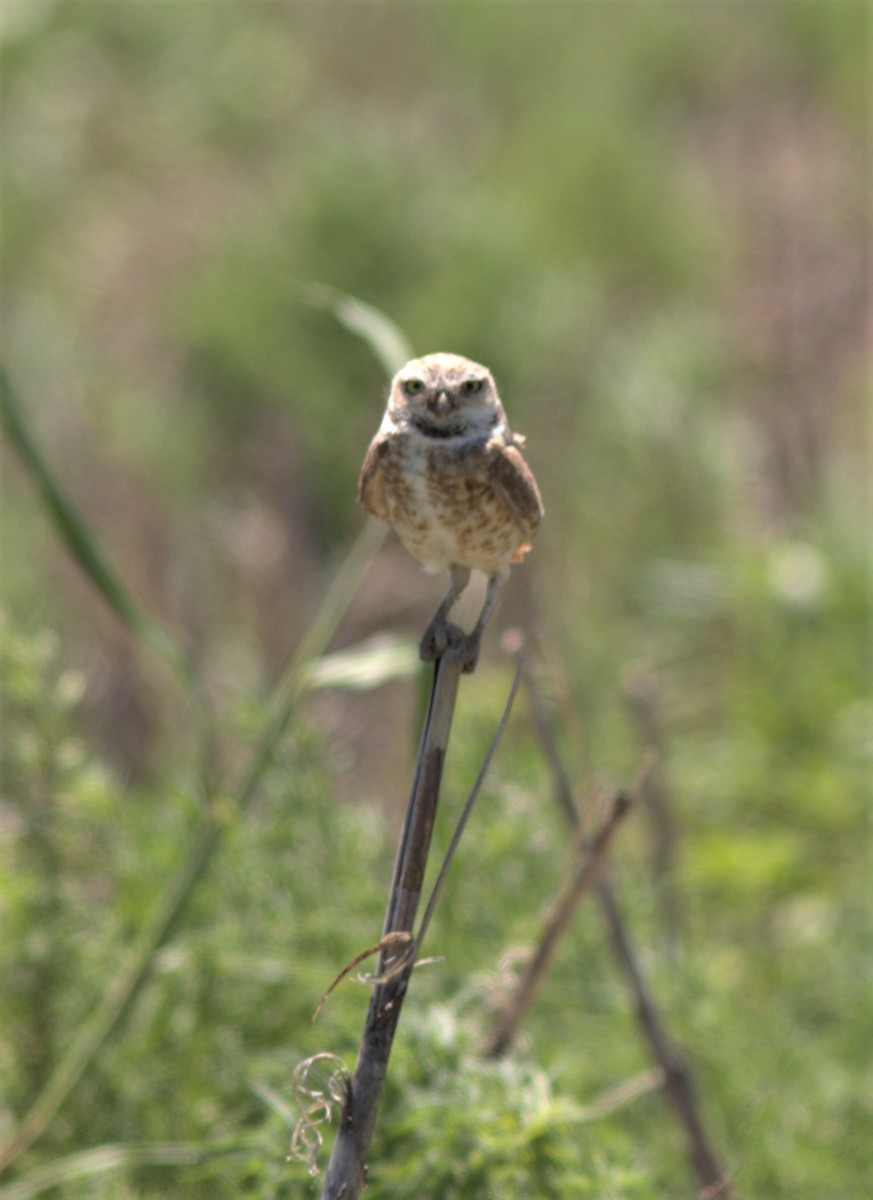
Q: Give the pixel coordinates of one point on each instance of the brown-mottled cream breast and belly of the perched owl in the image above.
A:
(445, 508)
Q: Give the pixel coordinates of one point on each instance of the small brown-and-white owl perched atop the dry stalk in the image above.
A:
(448, 473)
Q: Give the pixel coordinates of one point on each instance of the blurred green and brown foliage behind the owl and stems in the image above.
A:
(652, 221)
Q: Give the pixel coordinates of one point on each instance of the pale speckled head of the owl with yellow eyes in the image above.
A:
(445, 397)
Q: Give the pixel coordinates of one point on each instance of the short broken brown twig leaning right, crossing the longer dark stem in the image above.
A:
(591, 861)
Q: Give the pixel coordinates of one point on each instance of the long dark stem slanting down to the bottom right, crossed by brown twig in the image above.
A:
(678, 1082)
